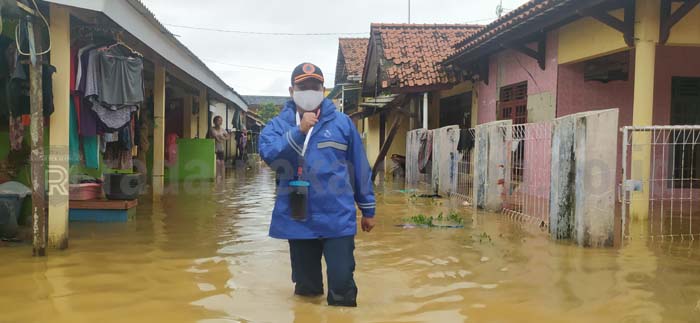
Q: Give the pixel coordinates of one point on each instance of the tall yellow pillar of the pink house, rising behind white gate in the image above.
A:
(646, 38)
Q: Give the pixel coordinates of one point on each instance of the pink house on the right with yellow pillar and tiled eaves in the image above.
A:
(552, 58)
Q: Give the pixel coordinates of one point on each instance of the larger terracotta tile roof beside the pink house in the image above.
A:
(412, 54)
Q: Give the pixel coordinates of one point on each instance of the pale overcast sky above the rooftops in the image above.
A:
(262, 64)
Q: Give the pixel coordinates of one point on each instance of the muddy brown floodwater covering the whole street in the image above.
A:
(204, 256)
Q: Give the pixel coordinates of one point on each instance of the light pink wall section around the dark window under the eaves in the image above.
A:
(510, 67)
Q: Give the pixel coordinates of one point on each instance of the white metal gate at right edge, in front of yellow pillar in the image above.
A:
(660, 181)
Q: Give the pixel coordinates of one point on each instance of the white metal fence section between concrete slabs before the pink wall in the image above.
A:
(527, 171)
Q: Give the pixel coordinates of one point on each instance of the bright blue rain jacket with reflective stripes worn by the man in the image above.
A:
(336, 166)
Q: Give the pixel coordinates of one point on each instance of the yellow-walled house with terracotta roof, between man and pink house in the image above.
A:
(406, 86)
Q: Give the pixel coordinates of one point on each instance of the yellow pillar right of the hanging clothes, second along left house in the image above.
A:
(159, 129)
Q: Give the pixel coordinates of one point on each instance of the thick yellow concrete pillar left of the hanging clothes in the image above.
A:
(59, 128)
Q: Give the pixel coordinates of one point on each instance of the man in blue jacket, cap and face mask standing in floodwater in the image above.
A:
(322, 172)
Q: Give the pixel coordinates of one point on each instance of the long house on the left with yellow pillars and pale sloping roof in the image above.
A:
(178, 85)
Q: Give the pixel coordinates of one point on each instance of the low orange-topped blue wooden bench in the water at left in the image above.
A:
(101, 210)
